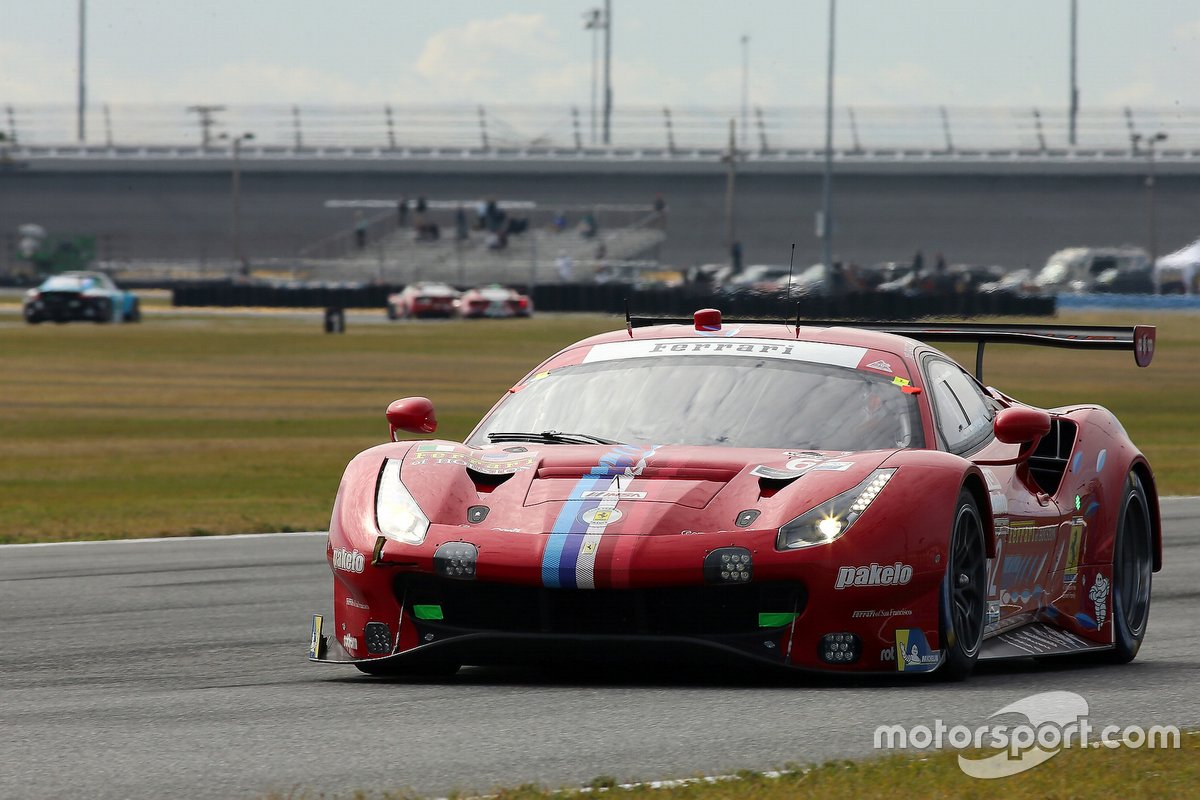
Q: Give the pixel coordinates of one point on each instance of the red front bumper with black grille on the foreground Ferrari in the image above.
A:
(399, 611)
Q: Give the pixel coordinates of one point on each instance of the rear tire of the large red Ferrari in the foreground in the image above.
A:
(1133, 566)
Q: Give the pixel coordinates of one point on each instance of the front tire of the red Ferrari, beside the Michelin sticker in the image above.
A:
(964, 593)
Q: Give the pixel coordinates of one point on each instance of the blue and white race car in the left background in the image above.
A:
(89, 297)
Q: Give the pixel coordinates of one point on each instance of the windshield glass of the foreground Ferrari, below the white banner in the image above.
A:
(716, 400)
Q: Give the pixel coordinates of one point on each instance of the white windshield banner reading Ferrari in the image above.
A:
(838, 356)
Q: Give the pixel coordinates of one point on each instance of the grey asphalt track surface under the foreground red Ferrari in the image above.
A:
(177, 669)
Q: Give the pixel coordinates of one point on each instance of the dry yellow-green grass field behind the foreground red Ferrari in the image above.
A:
(207, 424)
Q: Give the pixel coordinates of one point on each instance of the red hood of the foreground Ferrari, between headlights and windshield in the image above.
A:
(658, 491)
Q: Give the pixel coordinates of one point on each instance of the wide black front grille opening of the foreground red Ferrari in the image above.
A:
(680, 611)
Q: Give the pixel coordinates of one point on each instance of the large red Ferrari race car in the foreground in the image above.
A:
(815, 497)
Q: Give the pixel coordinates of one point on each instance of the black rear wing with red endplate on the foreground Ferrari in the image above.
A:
(1139, 339)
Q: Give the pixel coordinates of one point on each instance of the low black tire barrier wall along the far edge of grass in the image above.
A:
(610, 298)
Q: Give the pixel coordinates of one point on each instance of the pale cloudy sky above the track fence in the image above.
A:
(665, 52)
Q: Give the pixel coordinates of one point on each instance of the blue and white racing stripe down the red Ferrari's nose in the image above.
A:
(566, 556)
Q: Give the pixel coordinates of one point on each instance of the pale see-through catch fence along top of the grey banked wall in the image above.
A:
(129, 131)
